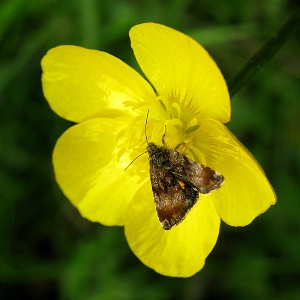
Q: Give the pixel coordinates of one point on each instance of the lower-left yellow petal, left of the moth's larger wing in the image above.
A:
(88, 173)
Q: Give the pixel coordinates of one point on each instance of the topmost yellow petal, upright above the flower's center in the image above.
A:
(179, 68)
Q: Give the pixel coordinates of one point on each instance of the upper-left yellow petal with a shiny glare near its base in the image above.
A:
(80, 84)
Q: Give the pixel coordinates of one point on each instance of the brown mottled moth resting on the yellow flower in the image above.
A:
(176, 183)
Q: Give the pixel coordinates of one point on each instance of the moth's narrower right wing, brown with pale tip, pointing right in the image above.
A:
(203, 178)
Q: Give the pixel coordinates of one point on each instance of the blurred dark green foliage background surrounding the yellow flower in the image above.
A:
(47, 250)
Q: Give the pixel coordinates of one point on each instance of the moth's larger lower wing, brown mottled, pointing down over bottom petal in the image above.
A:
(173, 197)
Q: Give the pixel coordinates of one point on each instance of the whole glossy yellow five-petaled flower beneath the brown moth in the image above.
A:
(109, 101)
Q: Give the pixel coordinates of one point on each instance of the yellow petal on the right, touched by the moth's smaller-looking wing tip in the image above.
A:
(246, 192)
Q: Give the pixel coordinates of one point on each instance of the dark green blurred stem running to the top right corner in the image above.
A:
(264, 54)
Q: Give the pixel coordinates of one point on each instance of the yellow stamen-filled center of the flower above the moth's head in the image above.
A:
(177, 120)
